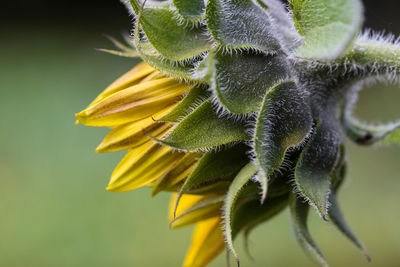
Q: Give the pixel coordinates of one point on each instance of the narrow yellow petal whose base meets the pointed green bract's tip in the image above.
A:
(134, 133)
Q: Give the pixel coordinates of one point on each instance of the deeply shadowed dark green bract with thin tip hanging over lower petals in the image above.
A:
(215, 166)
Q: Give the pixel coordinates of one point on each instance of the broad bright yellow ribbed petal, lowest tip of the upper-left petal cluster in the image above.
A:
(141, 166)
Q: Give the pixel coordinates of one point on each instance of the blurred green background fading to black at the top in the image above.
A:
(53, 205)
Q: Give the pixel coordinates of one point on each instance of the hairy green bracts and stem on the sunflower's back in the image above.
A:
(271, 103)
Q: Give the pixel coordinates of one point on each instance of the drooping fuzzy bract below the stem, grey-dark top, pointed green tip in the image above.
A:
(316, 164)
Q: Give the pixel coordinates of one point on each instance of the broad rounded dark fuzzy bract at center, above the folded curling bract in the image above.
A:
(242, 80)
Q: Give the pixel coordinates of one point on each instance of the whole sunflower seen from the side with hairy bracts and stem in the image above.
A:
(241, 109)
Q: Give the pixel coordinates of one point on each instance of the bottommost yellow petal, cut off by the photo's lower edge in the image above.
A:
(207, 243)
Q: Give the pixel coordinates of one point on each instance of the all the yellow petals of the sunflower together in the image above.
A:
(132, 106)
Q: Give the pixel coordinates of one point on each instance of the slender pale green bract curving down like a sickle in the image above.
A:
(235, 188)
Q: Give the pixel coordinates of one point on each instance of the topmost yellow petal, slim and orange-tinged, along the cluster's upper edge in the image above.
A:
(132, 77)
